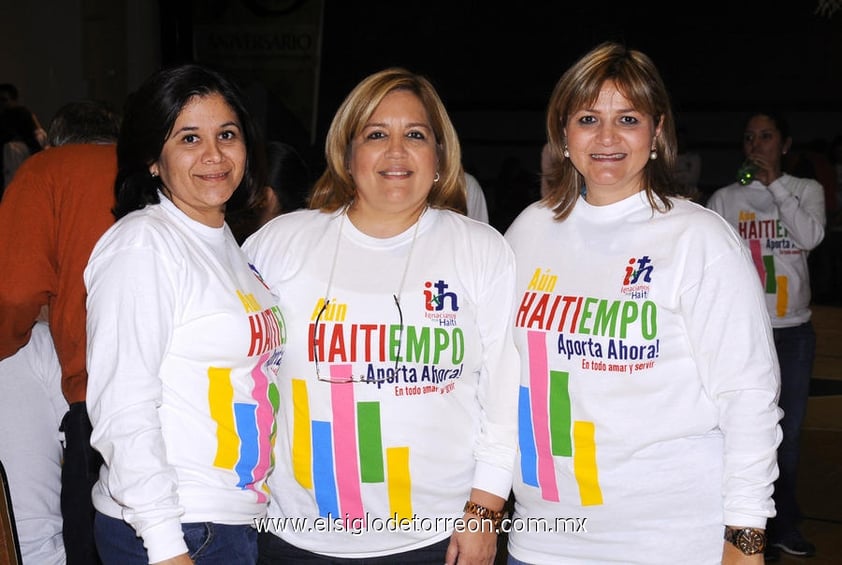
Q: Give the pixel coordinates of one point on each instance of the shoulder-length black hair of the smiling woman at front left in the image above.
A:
(148, 118)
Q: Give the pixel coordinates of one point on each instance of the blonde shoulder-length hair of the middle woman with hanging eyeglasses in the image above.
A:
(335, 188)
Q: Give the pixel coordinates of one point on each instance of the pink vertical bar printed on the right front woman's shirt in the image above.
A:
(537, 346)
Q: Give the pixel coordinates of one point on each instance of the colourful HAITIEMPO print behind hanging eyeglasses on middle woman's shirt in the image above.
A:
(335, 457)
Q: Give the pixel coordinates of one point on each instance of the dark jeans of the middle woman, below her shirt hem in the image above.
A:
(275, 551)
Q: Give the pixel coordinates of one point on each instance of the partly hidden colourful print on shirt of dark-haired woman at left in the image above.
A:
(246, 428)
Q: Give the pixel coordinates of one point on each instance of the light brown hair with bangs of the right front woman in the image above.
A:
(637, 78)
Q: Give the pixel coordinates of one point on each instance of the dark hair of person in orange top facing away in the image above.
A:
(84, 121)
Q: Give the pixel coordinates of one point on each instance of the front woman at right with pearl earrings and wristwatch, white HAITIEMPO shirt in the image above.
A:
(648, 375)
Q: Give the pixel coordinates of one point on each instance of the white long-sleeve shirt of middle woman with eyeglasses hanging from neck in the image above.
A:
(413, 446)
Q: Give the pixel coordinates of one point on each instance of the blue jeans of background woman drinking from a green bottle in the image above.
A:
(796, 347)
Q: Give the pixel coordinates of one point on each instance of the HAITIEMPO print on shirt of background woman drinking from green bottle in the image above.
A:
(767, 238)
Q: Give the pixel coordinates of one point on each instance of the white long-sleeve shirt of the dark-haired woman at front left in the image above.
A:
(184, 340)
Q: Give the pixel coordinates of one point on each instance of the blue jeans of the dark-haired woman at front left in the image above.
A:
(208, 543)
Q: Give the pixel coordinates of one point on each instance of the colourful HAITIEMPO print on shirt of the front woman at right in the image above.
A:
(572, 337)
